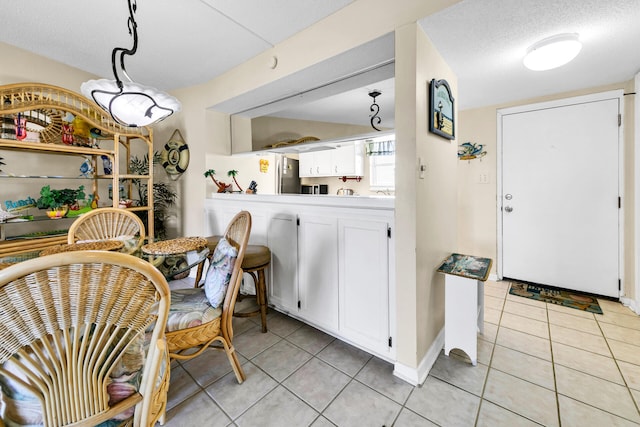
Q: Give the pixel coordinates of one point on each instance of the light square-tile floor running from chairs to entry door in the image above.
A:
(538, 364)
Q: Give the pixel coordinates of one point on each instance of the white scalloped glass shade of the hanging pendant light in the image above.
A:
(135, 105)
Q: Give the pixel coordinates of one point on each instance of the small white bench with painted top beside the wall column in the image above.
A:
(464, 302)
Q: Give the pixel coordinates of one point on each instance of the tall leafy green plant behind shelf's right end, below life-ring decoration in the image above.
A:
(163, 195)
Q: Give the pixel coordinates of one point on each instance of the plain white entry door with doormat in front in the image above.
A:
(559, 195)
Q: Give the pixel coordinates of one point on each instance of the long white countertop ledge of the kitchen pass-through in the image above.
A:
(363, 202)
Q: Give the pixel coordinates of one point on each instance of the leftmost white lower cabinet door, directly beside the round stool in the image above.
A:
(282, 237)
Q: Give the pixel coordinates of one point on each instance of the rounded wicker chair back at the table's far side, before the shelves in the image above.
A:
(108, 223)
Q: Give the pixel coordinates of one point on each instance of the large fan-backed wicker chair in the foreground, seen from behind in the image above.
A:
(72, 330)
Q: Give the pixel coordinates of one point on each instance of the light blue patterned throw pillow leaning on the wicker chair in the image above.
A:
(219, 272)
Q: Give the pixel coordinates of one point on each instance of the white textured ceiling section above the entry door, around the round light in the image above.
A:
(484, 42)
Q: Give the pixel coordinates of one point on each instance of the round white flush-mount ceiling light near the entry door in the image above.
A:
(552, 52)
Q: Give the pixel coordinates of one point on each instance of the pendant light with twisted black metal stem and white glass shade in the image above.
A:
(129, 103)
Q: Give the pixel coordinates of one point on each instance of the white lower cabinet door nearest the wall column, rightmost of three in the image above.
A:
(364, 282)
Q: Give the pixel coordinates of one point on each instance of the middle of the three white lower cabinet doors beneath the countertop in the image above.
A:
(318, 270)
